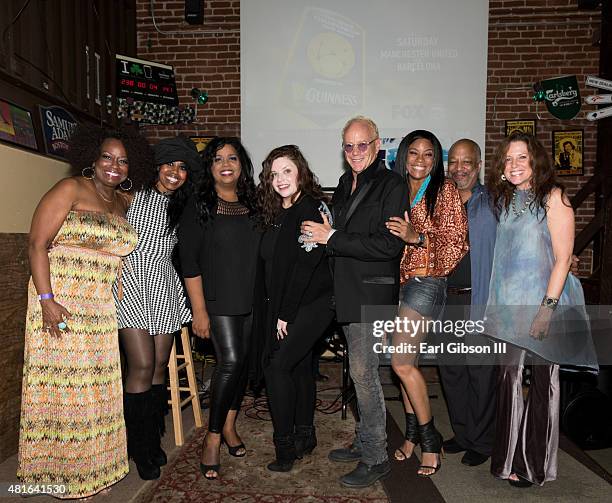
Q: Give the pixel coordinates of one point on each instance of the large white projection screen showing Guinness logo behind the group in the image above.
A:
(309, 66)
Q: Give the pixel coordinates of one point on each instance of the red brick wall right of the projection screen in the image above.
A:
(532, 40)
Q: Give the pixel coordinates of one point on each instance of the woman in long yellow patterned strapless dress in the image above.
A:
(72, 431)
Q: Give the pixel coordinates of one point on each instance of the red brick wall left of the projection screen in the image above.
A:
(204, 56)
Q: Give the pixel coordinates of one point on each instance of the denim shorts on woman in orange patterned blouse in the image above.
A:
(424, 294)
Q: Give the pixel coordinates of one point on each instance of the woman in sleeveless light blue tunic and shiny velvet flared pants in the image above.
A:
(535, 305)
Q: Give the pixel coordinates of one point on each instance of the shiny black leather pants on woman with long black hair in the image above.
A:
(231, 338)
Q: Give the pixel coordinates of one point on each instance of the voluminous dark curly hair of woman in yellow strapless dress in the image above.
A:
(84, 150)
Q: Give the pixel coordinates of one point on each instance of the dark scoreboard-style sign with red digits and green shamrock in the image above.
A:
(145, 81)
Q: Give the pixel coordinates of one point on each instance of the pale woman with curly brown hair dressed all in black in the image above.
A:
(299, 291)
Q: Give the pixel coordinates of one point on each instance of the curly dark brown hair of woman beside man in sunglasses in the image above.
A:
(269, 201)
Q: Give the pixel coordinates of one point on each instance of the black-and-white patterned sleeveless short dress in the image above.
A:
(153, 296)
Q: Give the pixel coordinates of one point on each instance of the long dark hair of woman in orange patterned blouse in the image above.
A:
(437, 170)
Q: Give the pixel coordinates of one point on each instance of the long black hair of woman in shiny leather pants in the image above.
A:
(206, 195)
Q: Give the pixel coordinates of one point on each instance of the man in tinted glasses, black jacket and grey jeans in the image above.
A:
(365, 257)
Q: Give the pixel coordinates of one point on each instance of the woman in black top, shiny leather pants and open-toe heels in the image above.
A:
(218, 247)
